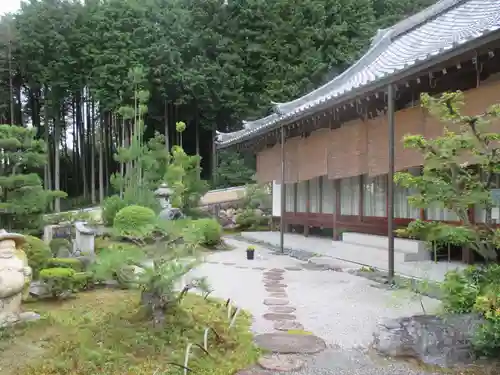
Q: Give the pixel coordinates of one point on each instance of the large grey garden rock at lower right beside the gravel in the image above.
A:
(440, 341)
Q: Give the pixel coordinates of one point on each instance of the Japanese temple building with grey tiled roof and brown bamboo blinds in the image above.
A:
(337, 158)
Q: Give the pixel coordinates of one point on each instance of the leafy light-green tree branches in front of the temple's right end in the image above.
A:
(447, 180)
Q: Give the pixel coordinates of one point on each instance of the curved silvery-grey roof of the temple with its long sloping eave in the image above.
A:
(372, 72)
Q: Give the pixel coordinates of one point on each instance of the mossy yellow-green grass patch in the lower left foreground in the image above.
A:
(104, 332)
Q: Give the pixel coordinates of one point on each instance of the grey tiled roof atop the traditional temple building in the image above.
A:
(435, 31)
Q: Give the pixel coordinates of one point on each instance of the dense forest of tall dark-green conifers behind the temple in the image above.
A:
(65, 72)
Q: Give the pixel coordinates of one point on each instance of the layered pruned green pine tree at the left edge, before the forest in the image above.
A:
(23, 199)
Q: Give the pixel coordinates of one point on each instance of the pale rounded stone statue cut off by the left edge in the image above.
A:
(15, 274)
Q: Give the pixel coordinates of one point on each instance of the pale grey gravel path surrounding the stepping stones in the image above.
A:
(341, 308)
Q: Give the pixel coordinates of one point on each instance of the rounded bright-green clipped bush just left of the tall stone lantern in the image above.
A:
(135, 221)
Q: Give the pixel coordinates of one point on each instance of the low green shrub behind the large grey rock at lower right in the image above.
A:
(477, 289)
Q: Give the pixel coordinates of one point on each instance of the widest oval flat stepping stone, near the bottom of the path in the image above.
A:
(286, 343)
